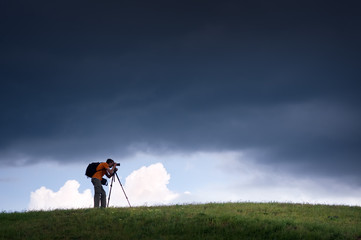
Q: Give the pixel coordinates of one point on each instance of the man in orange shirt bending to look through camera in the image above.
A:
(102, 169)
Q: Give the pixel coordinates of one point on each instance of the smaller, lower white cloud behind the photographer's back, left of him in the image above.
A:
(68, 196)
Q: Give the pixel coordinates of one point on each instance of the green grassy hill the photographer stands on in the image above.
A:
(204, 221)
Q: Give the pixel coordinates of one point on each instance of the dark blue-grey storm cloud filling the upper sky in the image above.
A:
(277, 80)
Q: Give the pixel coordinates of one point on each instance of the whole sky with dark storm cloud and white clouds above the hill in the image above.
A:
(199, 101)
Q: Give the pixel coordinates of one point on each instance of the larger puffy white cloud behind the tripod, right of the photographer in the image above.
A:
(145, 186)
